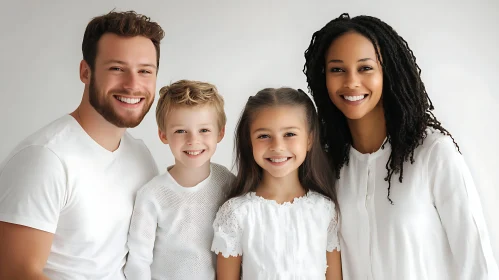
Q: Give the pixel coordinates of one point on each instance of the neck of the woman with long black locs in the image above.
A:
(369, 132)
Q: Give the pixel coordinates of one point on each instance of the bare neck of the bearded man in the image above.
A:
(99, 129)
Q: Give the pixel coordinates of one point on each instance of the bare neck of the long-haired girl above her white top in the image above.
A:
(280, 189)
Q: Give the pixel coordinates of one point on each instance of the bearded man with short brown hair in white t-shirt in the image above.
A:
(67, 191)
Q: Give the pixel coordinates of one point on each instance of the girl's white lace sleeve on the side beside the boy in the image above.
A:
(227, 231)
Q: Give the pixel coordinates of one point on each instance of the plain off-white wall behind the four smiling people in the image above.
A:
(244, 46)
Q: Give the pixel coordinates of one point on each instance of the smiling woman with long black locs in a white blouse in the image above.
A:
(409, 207)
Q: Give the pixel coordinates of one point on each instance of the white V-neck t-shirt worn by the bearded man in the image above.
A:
(59, 180)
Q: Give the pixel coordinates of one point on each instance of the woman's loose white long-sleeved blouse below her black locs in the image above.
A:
(434, 230)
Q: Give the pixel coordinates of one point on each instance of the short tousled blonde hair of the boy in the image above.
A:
(188, 93)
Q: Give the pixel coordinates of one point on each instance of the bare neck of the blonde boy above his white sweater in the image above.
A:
(189, 177)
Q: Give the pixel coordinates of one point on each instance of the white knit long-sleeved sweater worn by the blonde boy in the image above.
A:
(171, 229)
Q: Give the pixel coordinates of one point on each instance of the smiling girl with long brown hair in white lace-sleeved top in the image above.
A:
(281, 221)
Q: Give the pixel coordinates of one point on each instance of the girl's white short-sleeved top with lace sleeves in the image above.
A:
(278, 241)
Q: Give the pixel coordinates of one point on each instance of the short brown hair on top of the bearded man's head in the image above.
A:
(127, 24)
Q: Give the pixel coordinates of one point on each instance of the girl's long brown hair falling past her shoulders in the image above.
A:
(315, 173)
